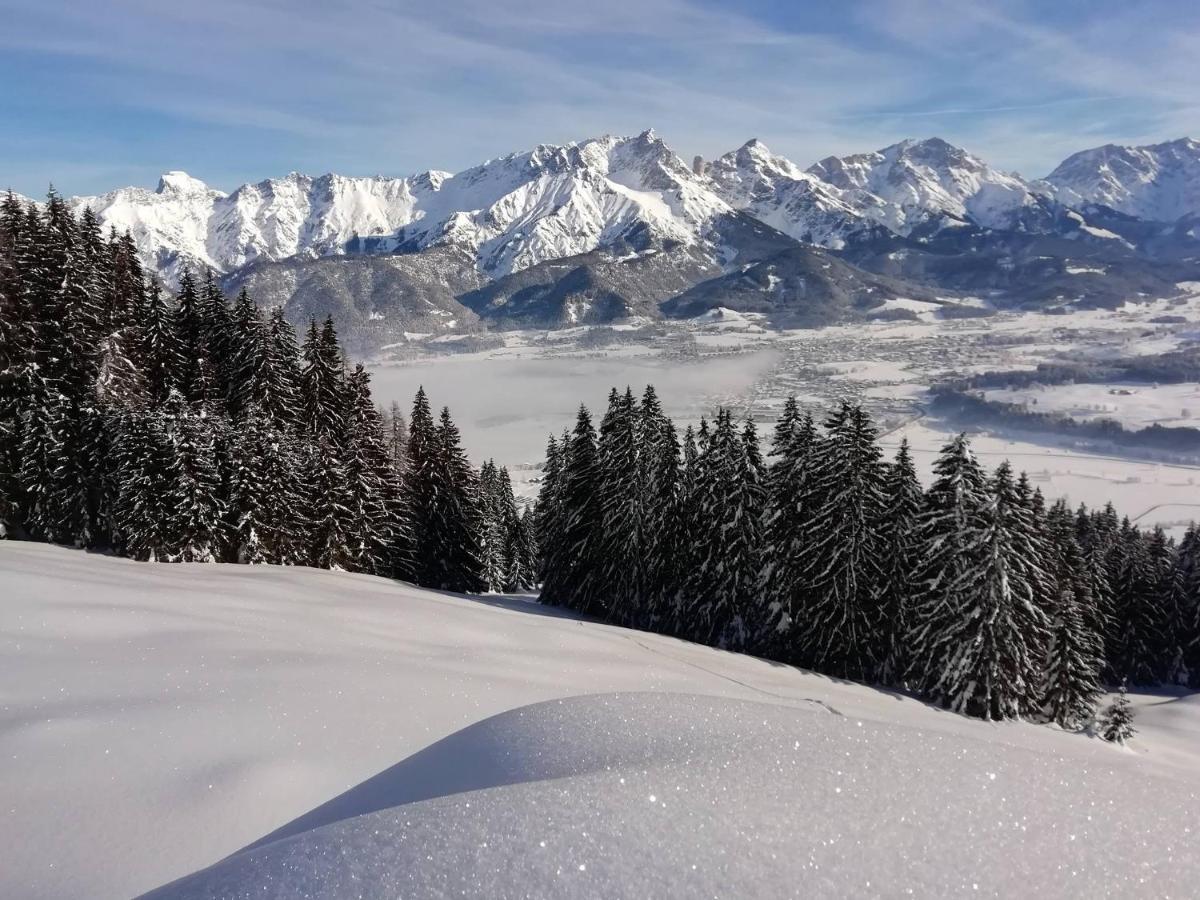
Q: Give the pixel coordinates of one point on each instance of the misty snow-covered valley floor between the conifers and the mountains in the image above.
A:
(508, 400)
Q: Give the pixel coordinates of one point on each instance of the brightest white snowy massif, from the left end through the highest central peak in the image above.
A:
(512, 213)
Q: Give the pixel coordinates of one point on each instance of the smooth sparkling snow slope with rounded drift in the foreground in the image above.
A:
(357, 737)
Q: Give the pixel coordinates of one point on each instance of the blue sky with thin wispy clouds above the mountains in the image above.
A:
(97, 95)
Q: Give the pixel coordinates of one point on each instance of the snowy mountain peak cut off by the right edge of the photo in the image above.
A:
(1161, 182)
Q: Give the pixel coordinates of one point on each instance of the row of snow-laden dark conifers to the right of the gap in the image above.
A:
(974, 593)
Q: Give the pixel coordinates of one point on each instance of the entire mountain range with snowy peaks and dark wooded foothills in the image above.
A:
(613, 227)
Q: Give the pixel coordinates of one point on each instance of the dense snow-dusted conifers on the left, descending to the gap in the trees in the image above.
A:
(196, 429)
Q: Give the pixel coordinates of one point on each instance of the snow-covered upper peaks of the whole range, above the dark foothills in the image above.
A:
(562, 201)
